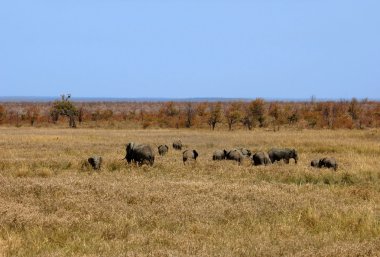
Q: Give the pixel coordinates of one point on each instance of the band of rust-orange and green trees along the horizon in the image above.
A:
(214, 115)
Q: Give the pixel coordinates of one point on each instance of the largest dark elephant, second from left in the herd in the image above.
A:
(139, 153)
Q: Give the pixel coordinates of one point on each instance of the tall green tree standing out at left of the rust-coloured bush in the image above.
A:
(64, 107)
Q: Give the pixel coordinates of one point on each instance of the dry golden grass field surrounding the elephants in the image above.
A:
(52, 205)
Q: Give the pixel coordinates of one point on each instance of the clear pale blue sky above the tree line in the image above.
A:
(179, 49)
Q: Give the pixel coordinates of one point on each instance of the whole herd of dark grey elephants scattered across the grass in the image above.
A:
(144, 154)
